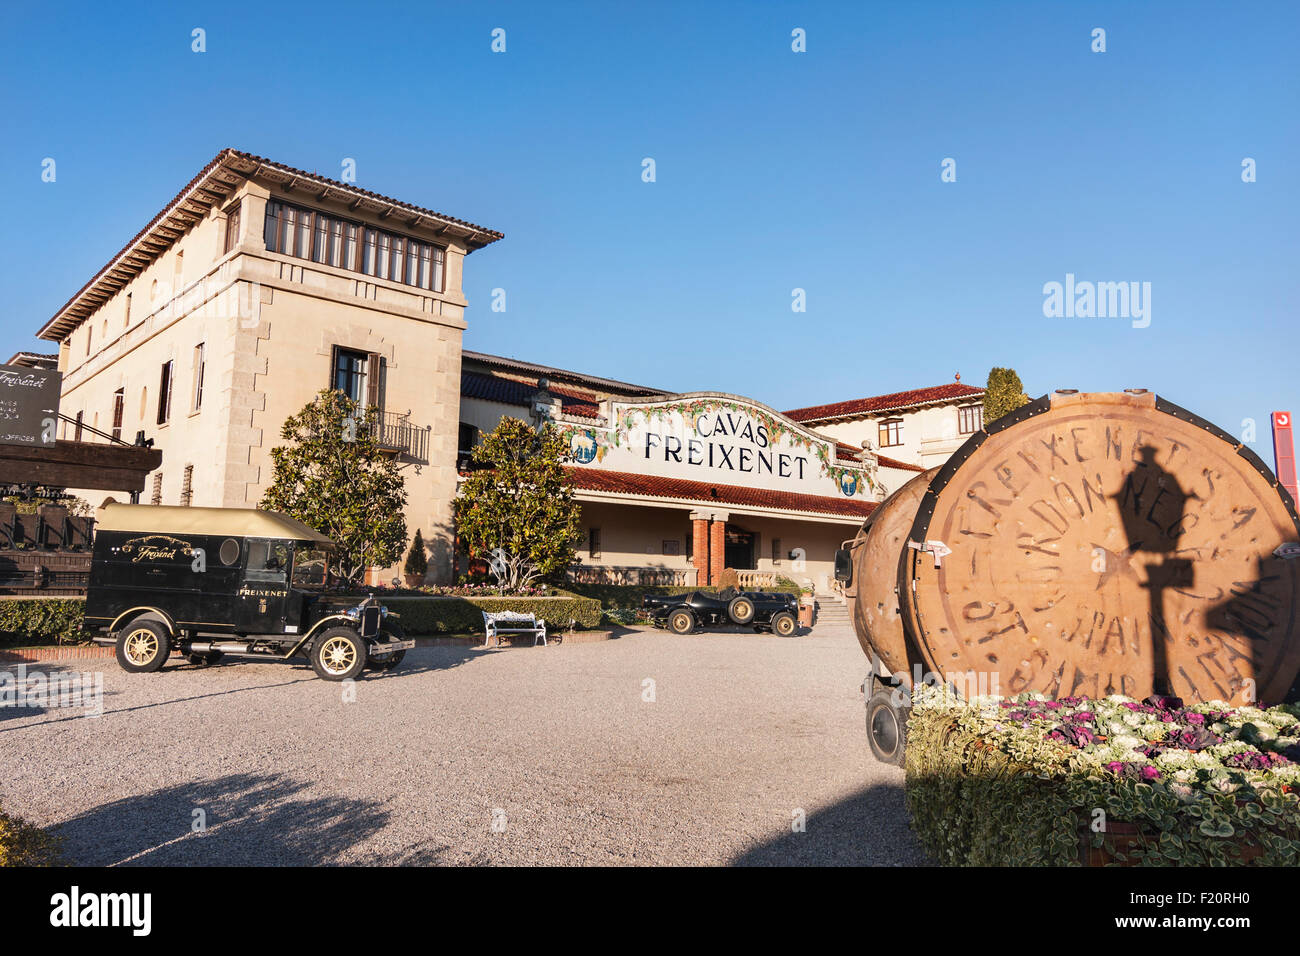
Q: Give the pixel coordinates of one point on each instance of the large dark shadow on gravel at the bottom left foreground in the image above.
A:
(253, 820)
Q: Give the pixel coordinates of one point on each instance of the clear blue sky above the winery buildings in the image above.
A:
(774, 171)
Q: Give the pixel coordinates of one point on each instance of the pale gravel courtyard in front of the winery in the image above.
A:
(471, 756)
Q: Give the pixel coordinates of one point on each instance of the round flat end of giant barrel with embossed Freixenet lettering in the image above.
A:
(1104, 544)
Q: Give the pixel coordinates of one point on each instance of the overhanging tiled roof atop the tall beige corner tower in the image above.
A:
(214, 185)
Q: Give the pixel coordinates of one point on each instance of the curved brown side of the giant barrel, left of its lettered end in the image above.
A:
(876, 578)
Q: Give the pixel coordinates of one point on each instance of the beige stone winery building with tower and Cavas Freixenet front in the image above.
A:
(261, 284)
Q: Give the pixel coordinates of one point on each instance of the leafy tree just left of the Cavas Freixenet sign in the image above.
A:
(518, 505)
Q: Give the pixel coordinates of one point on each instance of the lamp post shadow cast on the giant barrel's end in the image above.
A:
(1152, 508)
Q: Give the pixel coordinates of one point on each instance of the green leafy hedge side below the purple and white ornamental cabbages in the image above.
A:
(985, 790)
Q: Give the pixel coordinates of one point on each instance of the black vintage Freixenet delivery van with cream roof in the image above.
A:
(211, 582)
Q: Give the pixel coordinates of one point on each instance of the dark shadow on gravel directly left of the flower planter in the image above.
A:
(869, 829)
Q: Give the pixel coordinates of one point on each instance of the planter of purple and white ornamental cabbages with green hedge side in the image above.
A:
(1030, 781)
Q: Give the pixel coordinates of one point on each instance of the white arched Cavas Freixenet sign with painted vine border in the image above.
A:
(717, 439)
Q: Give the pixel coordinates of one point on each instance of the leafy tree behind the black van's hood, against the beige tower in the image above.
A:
(333, 478)
